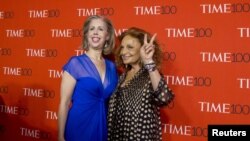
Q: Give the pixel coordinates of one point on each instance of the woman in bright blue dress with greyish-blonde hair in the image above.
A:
(88, 81)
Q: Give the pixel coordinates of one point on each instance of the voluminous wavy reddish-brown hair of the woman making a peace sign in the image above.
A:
(139, 34)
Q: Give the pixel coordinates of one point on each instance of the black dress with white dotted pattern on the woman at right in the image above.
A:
(134, 109)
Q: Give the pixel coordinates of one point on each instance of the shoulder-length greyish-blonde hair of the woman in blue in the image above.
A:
(110, 29)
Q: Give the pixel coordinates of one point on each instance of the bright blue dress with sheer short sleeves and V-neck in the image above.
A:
(87, 118)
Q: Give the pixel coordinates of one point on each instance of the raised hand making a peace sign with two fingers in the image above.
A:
(147, 50)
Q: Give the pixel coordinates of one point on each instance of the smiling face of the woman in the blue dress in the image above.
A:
(97, 34)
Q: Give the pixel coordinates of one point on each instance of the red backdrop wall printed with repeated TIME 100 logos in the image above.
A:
(206, 46)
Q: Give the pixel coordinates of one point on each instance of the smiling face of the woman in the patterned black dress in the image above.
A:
(130, 50)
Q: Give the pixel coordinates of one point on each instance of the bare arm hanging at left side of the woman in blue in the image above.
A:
(66, 90)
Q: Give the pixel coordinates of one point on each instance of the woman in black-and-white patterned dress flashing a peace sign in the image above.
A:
(134, 107)
